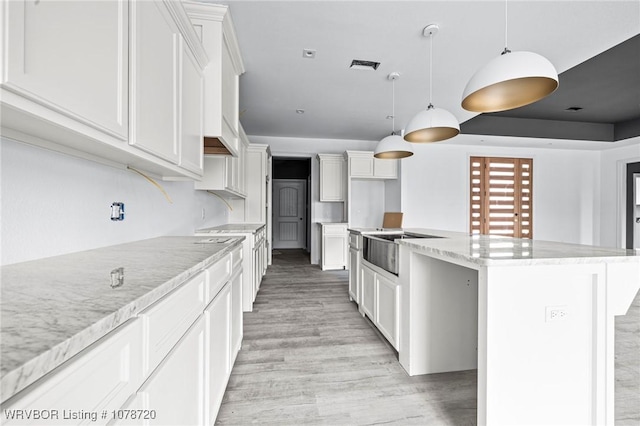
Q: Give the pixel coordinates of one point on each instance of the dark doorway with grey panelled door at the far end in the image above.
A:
(291, 194)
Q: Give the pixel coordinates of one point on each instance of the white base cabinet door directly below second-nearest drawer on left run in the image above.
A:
(176, 388)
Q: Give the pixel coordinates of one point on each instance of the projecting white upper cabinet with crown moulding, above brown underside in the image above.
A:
(214, 25)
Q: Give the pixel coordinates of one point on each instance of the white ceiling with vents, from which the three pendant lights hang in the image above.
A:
(341, 103)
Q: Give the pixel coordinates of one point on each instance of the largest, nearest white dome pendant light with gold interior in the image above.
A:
(512, 80)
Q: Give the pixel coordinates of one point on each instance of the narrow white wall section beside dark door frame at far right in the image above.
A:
(613, 183)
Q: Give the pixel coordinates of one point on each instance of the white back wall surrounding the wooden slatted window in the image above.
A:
(435, 189)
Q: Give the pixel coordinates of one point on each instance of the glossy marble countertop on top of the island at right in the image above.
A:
(486, 250)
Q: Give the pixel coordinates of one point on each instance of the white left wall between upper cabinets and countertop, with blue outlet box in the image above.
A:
(56, 204)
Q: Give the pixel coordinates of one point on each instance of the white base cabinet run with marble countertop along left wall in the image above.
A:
(87, 331)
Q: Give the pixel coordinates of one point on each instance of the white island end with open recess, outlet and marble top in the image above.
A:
(535, 318)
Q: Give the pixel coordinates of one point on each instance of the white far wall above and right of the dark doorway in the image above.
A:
(299, 147)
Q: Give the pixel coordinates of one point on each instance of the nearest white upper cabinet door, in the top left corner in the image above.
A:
(72, 57)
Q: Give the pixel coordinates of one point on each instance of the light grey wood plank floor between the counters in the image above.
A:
(308, 357)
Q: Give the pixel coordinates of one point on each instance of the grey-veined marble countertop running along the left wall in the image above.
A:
(52, 308)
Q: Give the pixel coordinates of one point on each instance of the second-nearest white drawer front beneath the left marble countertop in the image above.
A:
(166, 321)
